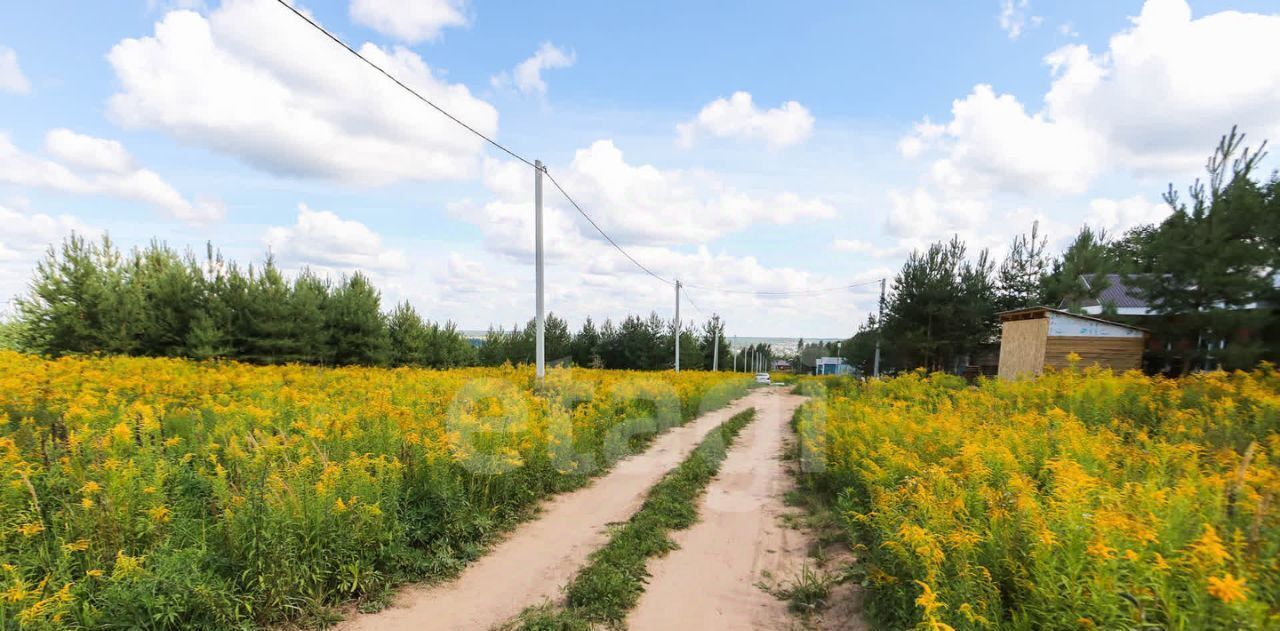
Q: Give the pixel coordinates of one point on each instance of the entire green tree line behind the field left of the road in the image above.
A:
(90, 298)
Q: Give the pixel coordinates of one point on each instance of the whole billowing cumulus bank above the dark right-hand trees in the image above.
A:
(1151, 106)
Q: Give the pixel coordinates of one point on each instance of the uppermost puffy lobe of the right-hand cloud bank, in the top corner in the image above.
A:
(1168, 88)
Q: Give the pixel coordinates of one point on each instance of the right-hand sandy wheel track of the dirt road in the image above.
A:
(710, 583)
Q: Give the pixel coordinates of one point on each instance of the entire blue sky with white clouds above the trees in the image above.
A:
(740, 148)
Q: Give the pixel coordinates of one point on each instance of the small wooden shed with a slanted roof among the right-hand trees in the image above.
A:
(1036, 337)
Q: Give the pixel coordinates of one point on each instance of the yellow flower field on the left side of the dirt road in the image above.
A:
(141, 493)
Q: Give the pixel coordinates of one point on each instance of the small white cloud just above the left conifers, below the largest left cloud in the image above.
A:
(323, 240)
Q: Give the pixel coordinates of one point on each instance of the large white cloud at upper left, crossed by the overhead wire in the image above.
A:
(255, 83)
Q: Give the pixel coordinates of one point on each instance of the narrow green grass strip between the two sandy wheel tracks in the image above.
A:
(615, 577)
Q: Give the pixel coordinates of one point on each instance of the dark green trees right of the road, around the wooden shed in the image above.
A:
(1208, 272)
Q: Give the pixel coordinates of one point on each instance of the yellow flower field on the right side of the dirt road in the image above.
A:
(1082, 500)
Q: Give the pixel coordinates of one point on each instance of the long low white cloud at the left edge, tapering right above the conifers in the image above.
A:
(109, 171)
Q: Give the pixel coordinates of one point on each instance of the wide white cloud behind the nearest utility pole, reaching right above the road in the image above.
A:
(662, 218)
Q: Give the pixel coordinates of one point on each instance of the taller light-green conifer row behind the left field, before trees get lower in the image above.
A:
(89, 298)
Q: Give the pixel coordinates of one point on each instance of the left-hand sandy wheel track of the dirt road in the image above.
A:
(541, 557)
